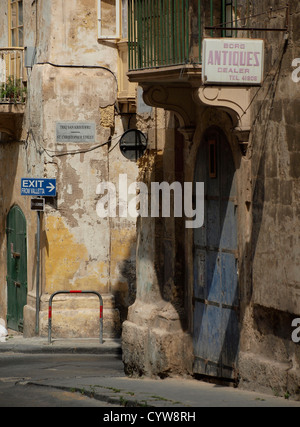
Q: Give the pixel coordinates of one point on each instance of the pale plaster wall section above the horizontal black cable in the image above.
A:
(68, 34)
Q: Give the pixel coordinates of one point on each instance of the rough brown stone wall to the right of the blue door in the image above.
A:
(269, 358)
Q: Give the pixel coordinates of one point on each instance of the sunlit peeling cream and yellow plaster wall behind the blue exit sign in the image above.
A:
(74, 79)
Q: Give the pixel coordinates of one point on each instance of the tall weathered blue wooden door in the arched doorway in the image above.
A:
(216, 299)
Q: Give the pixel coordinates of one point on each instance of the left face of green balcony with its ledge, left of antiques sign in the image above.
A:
(164, 40)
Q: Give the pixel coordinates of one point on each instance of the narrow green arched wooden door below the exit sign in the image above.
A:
(16, 268)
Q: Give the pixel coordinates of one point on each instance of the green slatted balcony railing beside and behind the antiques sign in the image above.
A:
(164, 33)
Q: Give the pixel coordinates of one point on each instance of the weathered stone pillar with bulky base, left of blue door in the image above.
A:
(154, 338)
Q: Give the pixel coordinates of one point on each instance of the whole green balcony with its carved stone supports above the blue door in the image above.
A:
(165, 57)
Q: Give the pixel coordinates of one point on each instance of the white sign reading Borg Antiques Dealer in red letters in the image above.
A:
(233, 61)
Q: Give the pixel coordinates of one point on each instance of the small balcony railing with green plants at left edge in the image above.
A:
(12, 89)
